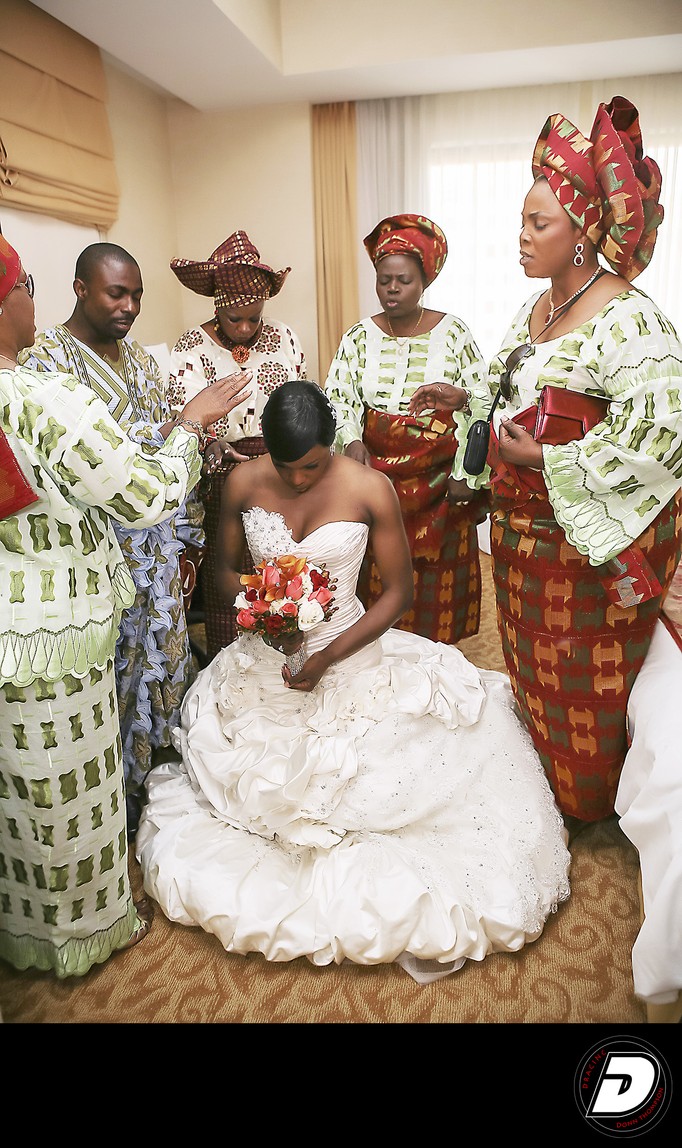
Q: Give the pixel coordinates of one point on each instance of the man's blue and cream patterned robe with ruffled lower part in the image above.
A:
(154, 664)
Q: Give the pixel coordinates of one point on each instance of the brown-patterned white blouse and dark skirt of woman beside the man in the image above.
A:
(197, 361)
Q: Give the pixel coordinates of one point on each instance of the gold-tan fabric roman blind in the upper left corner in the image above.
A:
(57, 153)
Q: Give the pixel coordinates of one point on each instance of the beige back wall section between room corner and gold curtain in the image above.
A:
(250, 169)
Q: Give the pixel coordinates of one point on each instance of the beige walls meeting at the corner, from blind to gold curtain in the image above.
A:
(190, 179)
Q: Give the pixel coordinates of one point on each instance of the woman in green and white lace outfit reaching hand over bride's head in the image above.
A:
(66, 902)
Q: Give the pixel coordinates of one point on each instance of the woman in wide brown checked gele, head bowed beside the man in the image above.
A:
(238, 337)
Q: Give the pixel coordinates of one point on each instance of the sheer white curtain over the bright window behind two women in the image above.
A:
(464, 160)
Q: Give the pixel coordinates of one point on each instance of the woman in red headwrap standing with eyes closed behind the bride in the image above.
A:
(400, 382)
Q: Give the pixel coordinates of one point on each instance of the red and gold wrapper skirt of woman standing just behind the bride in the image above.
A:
(417, 456)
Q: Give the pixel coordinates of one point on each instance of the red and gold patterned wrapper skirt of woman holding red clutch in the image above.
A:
(572, 656)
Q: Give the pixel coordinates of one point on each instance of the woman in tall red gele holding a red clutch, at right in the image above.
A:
(586, 532)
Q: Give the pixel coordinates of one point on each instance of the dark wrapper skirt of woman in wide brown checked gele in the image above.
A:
(220, 617)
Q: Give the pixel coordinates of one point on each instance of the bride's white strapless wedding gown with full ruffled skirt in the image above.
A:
(396, 813)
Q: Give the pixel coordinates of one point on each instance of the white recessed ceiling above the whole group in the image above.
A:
(193, 51)
